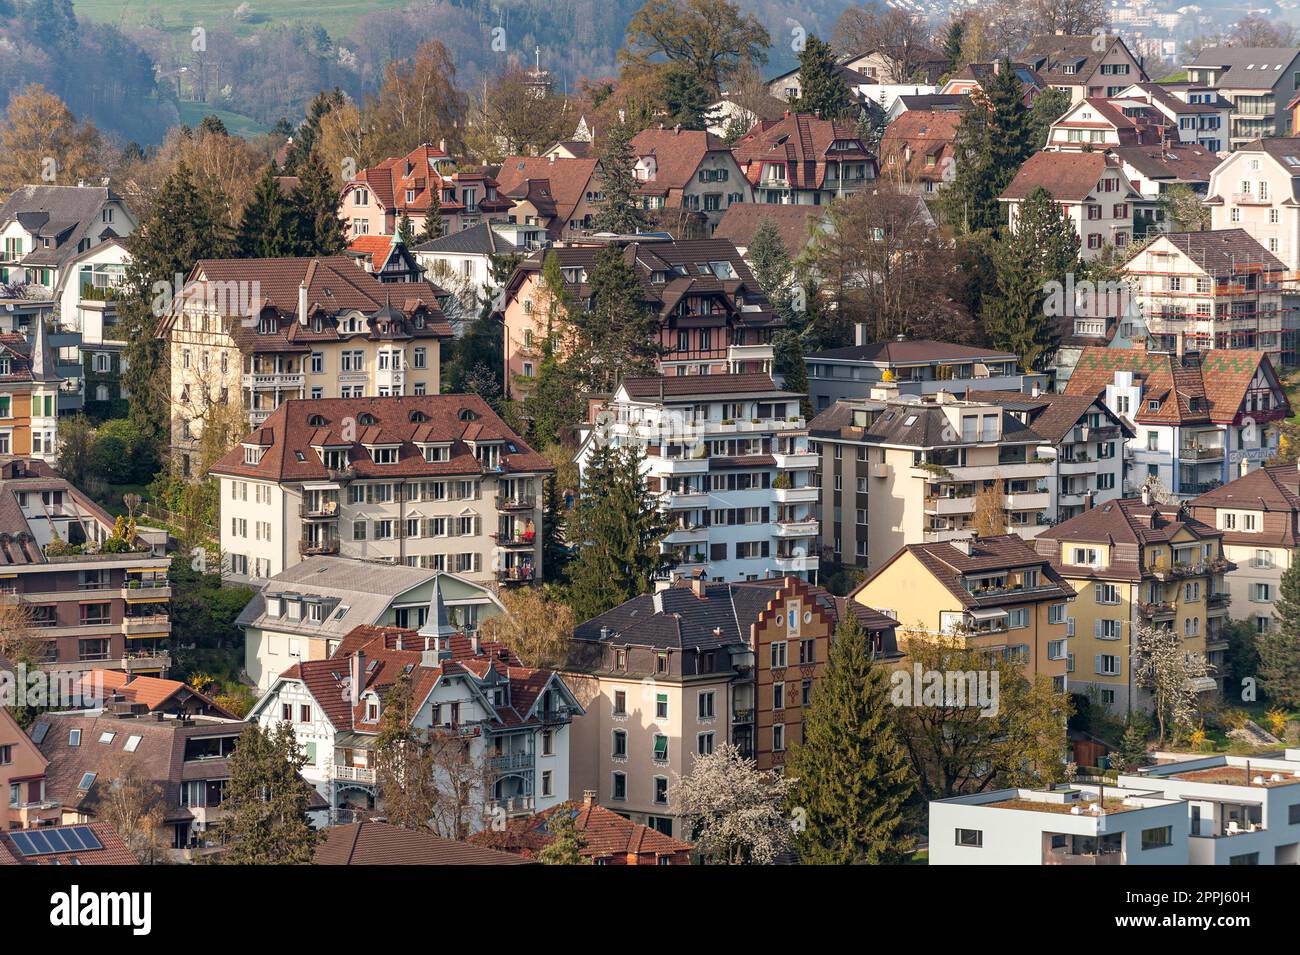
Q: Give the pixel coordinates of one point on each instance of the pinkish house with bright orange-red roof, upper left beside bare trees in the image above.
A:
(376, 199)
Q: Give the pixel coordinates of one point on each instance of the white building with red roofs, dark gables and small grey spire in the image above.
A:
(513, 720)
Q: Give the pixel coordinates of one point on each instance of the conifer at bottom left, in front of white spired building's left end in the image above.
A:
(267, 801)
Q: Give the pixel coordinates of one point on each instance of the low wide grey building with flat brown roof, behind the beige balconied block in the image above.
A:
(913, 367)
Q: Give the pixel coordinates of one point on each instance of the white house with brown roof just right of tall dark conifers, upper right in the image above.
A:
(1091, 190)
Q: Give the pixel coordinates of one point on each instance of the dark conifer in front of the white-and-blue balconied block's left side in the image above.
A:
(618, 527)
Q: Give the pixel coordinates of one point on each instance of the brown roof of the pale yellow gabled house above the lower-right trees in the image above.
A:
(948, 563)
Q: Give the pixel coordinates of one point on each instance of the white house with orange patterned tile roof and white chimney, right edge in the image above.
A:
(1201, 420)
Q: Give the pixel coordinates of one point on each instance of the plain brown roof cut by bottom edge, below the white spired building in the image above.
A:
(380, 844)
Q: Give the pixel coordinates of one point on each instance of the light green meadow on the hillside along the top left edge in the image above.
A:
(181, 16)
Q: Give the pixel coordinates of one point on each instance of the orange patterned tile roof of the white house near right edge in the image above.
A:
(1219, 383)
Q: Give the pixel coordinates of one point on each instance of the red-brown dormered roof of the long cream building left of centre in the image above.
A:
(300, 426)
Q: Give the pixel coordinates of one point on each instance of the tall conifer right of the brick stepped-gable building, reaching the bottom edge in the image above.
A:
(852, 778)
